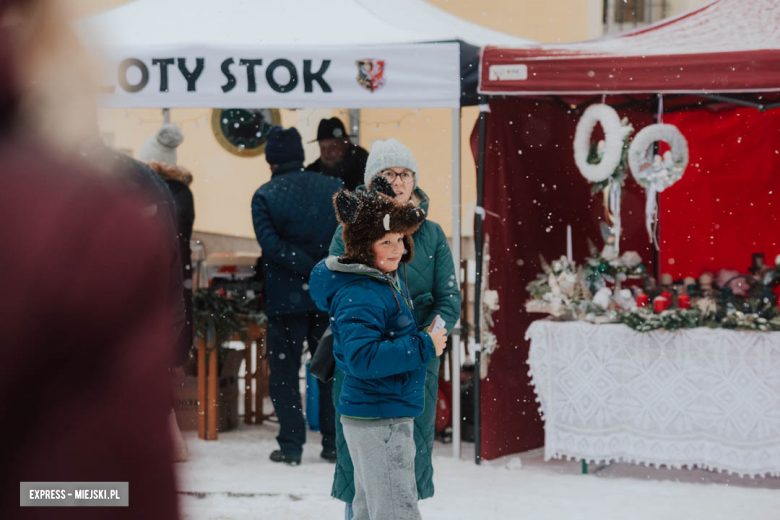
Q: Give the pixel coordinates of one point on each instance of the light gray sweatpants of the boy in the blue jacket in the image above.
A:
(382, 452)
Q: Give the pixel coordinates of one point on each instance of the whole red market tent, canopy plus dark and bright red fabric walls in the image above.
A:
(722, 211)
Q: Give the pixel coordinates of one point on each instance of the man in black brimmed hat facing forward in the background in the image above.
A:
(338, 156)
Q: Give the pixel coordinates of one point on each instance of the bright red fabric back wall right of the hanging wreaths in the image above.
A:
(727, 205)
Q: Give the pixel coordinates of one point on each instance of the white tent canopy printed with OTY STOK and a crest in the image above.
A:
(283, 54)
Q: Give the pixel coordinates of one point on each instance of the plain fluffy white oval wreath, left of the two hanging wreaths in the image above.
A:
(614, 133)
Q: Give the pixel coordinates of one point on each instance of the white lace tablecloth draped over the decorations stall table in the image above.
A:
(701, 397)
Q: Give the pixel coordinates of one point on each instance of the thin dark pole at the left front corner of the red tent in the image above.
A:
(478, 241)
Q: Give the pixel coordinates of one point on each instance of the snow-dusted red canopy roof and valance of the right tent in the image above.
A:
(725, 46)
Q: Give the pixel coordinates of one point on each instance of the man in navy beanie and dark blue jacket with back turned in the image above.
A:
(294, 221)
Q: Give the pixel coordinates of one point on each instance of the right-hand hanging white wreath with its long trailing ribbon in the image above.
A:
(656, 172)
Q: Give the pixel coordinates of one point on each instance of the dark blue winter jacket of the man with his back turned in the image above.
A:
(294, 222)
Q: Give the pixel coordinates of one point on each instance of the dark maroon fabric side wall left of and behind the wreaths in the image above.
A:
(532, 191)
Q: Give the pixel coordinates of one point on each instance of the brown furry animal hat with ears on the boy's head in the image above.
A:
(369, 215)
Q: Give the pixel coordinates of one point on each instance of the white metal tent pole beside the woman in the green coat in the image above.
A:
(456, 255)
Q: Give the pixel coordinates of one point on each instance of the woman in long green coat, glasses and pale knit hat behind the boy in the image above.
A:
(434, 290)
